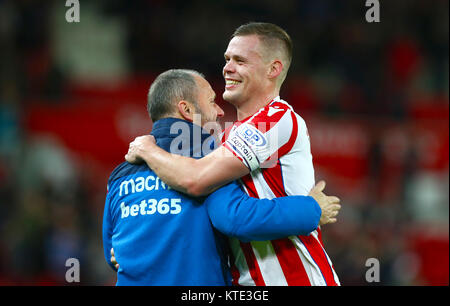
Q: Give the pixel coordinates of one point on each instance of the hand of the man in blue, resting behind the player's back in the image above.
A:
(330, 205)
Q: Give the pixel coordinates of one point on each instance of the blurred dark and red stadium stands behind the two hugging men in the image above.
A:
(375, 97)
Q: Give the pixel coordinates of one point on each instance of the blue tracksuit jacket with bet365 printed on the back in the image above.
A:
(163, 237)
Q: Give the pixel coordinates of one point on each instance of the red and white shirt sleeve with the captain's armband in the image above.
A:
(262, 137)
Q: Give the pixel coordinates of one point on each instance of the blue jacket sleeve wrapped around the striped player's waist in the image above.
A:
(235, 214)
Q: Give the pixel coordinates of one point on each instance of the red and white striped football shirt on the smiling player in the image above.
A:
(274, 145)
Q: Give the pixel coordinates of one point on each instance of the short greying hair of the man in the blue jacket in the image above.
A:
(169, 88)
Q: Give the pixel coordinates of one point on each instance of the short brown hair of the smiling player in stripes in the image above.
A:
(270, 35)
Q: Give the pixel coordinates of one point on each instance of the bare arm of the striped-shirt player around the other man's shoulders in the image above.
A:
(195, 177)
